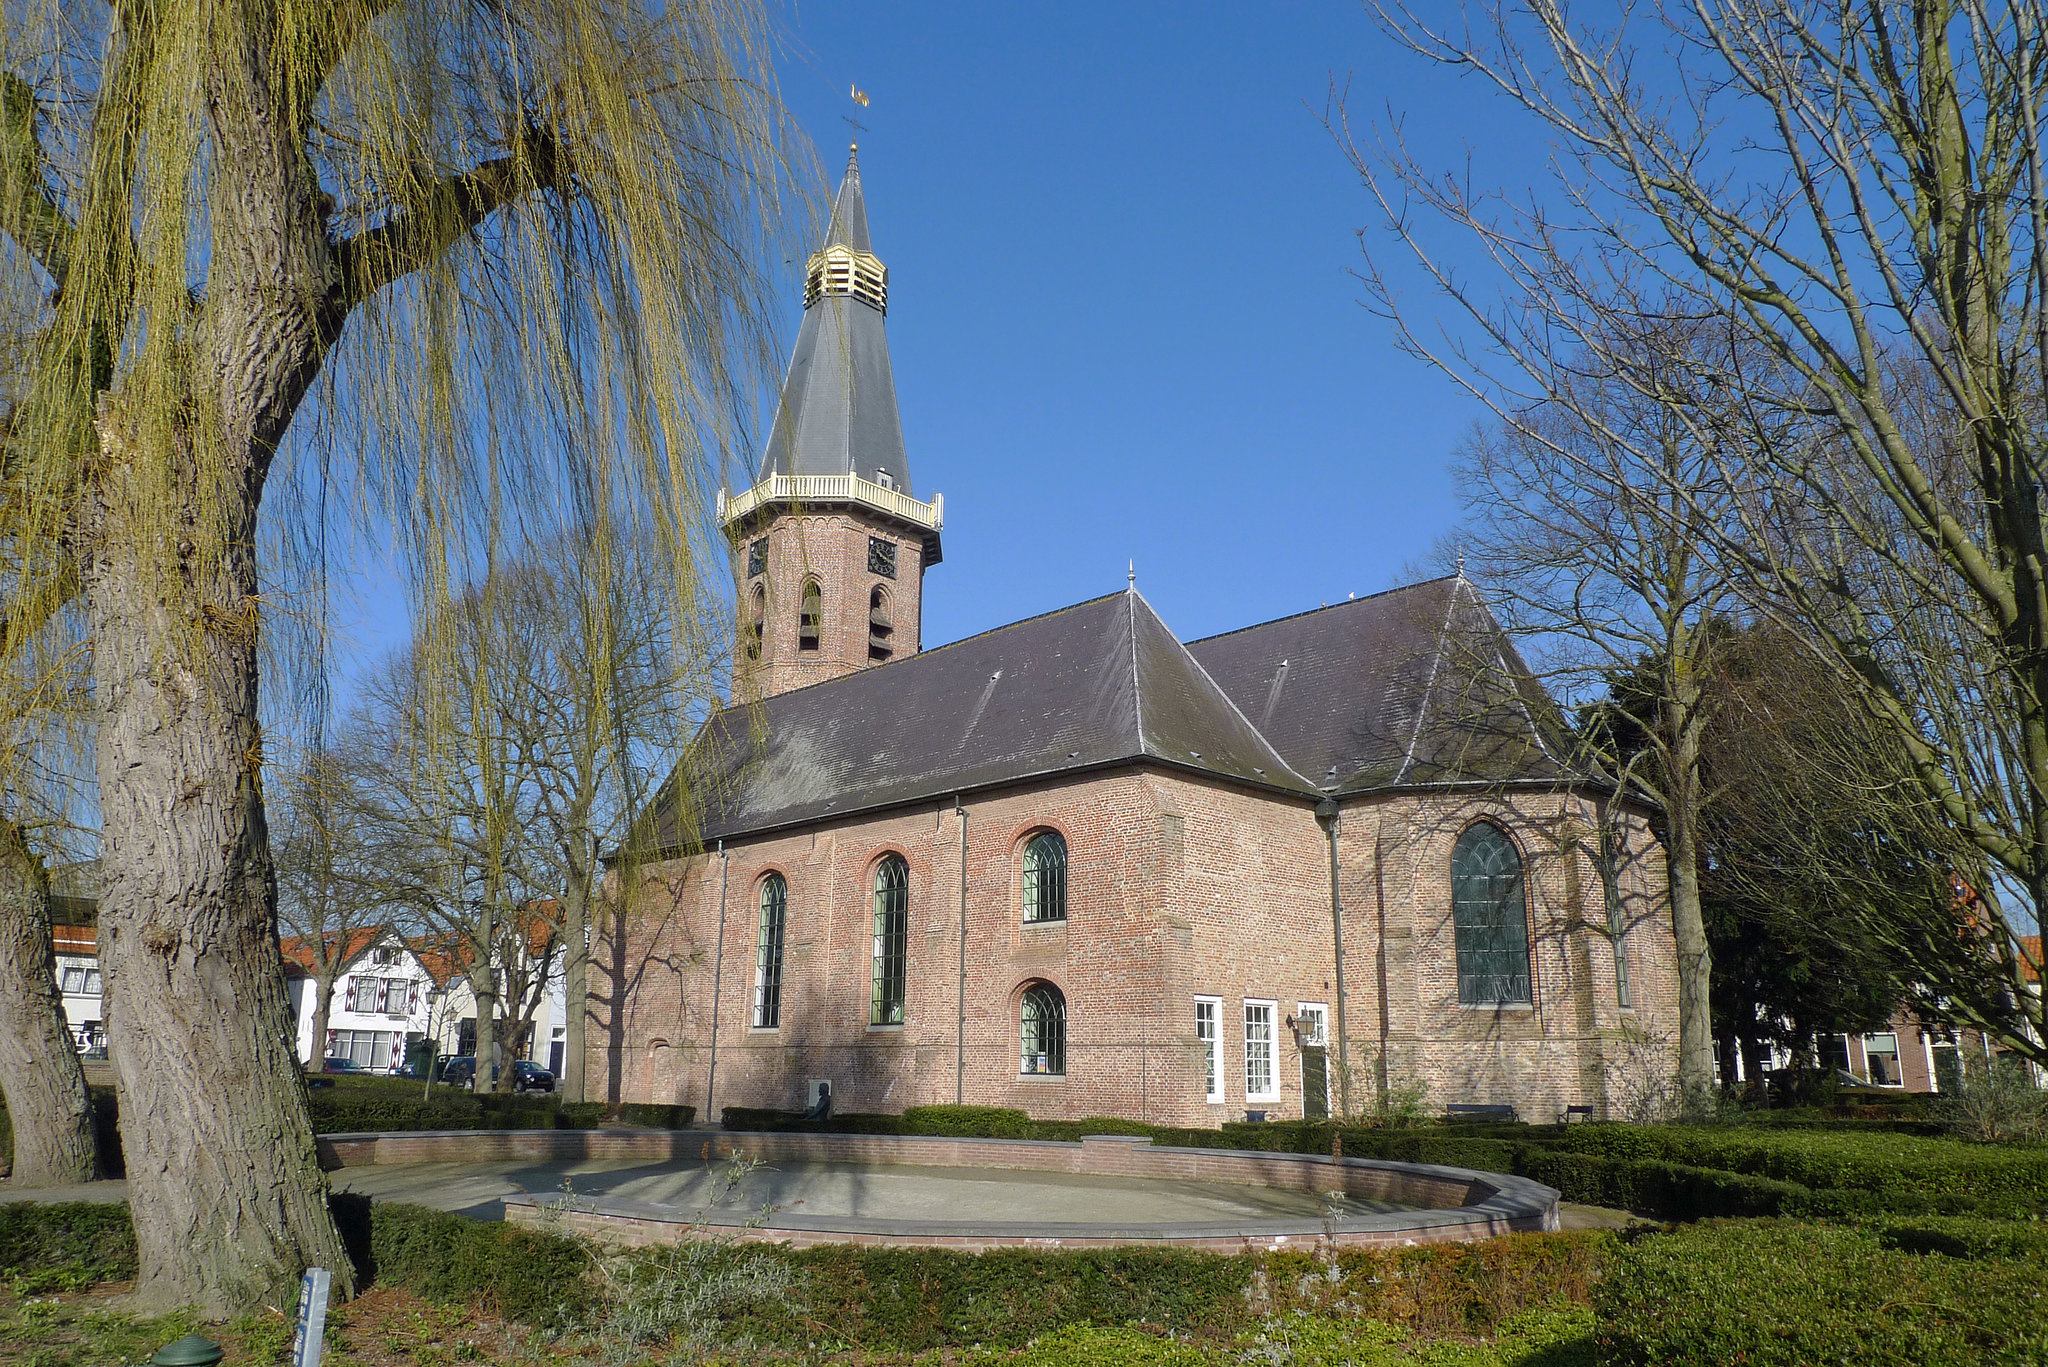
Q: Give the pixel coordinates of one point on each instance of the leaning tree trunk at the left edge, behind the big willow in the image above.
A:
(46, 1085)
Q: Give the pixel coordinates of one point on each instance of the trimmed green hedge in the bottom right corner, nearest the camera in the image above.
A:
(1770, 1294)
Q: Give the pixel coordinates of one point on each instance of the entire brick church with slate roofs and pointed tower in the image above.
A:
(1082, 868)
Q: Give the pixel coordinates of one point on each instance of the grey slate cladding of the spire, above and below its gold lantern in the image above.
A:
(839, 409)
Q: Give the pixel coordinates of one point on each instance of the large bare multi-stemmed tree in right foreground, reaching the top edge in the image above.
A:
(1859, 190)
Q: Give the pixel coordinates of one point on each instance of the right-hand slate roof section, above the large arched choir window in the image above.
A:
(1410, 688)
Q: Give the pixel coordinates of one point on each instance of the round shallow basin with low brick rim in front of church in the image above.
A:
(646, 1188)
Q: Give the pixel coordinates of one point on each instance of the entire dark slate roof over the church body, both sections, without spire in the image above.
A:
(1347, 700)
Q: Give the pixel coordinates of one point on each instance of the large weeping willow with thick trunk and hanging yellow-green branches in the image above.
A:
(503, 253)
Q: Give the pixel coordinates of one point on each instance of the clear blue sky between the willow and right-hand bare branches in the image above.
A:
(1123, 319)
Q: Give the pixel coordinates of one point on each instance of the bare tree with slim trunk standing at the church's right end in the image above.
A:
(1601, 567)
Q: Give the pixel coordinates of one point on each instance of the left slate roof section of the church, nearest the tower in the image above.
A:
(1091, 686)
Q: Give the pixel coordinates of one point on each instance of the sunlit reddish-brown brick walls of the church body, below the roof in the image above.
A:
(1179, 888)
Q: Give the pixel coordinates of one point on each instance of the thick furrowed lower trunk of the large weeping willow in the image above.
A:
(224, 1179)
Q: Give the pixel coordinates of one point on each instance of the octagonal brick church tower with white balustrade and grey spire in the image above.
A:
(830, 546)
